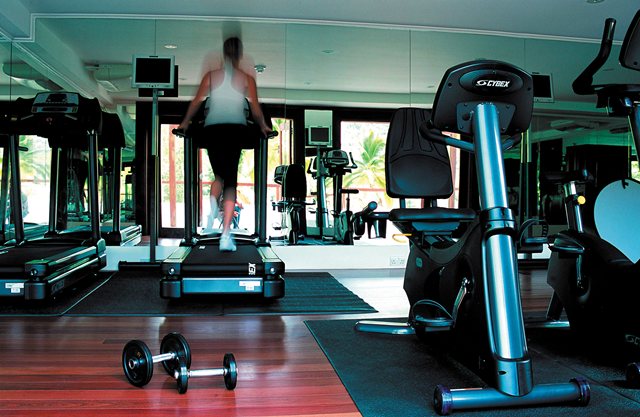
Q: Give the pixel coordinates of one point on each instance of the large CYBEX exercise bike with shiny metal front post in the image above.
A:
(468, 288)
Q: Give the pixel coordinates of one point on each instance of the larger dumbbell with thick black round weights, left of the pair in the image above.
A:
(138, 361)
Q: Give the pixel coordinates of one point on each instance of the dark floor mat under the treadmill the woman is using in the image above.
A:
(137, 293)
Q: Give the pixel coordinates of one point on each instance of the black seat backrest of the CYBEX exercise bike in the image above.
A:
(415, 167)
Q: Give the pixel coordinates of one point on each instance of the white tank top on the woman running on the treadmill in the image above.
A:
(226, 104)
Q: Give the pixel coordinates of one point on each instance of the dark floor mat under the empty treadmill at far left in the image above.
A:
(54, 306)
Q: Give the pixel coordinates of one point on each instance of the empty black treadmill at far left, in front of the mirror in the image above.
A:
(37, 269)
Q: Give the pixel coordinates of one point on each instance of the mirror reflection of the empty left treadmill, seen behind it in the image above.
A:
(111, 141)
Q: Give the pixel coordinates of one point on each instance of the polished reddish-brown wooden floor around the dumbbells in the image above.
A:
(71, 366)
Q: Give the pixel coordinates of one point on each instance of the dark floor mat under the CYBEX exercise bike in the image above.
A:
(390, 376)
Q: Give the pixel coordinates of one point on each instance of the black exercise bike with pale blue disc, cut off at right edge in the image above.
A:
(594, 281)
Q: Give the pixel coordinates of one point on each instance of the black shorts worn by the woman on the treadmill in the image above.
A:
(222, 143)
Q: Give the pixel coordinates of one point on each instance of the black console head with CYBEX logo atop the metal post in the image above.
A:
(466, 85)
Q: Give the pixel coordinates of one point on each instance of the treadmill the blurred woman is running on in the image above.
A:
(198, 267)
